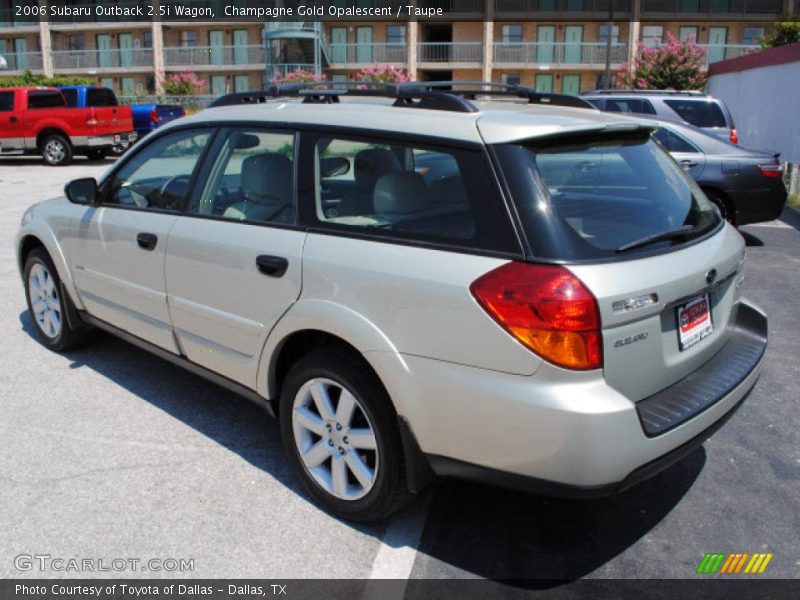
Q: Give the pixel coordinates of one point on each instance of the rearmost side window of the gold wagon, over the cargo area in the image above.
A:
(410, 191)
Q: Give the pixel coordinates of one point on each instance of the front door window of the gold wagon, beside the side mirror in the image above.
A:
(158, 176)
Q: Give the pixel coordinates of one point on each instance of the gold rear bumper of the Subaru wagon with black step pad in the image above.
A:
(581, 438)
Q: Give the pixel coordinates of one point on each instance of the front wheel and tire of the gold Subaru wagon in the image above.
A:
(48, 305)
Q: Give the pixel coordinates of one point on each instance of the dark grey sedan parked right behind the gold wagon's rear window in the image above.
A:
(747, 185)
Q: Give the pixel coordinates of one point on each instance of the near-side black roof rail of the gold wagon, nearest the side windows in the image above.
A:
(329, 92)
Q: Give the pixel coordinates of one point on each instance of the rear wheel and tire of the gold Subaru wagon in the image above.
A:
(340, 431)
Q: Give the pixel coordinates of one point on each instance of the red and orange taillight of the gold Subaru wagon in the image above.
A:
(547, 309)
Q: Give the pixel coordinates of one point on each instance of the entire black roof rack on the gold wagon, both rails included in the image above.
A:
(452, 96)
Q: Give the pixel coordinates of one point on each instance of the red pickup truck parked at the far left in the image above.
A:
(36, 120)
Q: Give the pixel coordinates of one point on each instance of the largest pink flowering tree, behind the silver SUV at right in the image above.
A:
(676, 65)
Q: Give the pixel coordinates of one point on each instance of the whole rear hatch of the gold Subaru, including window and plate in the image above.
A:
(642, 237)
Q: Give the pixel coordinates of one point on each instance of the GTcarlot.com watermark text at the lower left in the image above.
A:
(60, 564)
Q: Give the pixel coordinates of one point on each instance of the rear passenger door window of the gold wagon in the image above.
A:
(252, 178)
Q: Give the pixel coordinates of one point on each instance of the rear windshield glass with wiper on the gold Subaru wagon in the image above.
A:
(598, 197)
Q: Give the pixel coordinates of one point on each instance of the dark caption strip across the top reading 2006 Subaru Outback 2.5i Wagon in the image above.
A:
(102, 11)
